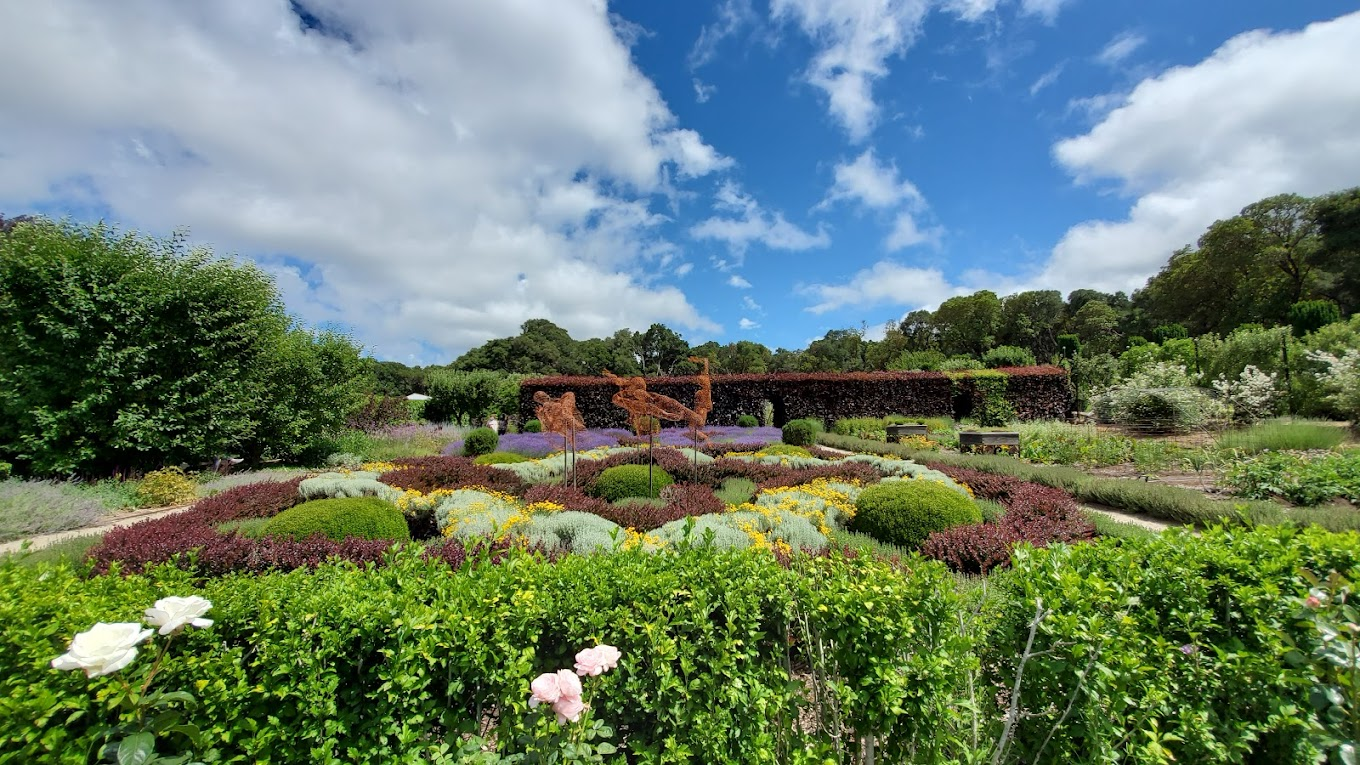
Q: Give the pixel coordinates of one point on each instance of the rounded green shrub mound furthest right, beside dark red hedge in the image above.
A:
(905, 512)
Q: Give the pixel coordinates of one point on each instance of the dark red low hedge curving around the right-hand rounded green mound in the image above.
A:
(1038, 515)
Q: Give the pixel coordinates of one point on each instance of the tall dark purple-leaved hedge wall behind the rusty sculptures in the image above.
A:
(1037, 393)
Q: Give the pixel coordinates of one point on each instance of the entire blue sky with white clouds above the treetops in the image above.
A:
(432, 174)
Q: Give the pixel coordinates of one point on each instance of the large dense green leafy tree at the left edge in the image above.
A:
(120, 352)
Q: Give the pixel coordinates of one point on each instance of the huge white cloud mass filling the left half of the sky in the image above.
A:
(444, 169)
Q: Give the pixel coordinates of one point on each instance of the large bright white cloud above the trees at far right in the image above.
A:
(1267, 114)
